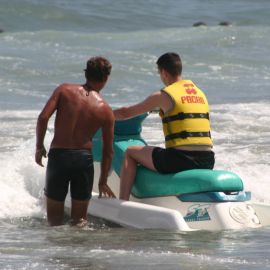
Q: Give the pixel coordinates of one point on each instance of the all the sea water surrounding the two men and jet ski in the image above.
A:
(46, 43)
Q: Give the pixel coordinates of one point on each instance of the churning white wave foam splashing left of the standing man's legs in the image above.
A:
(19, 184)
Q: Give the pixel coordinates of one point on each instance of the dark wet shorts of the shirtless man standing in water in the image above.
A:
(69, 166)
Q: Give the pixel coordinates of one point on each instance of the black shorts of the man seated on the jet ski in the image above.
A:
(171, 160)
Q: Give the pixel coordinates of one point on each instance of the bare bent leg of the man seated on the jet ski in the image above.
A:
(133, 156)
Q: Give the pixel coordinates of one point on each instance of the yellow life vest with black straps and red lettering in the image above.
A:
(188, 121)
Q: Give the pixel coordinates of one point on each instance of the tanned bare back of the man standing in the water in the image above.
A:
(80, 113)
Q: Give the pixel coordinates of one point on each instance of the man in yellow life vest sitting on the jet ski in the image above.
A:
(184, 112)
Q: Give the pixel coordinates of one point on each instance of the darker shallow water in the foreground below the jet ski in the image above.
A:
(33, 245)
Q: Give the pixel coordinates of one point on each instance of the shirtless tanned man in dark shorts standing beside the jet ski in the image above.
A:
(80, 112)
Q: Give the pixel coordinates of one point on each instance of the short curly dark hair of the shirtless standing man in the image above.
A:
(98, 69)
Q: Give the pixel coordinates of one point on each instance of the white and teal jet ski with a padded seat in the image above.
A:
(198, 199)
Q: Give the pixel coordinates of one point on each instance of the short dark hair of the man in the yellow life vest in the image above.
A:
(171, 62)
